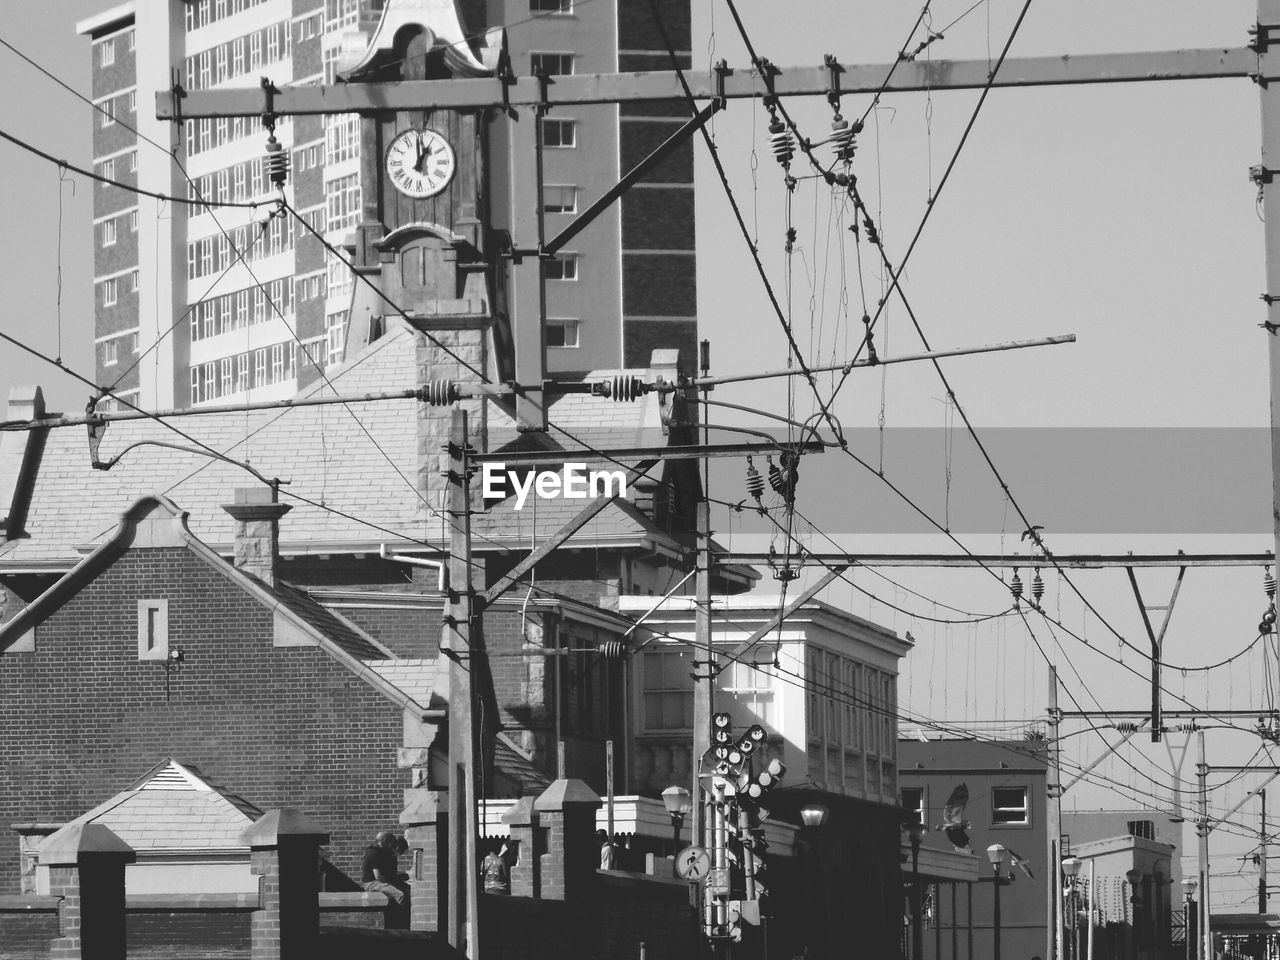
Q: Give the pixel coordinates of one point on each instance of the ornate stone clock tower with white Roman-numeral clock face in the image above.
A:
(424, 243)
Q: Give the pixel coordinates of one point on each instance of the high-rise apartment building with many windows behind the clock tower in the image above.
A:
(212, 305)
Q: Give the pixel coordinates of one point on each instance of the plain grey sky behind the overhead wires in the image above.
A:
(1122, 214)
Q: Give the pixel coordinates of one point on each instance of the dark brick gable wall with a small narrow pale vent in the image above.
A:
(81, 717)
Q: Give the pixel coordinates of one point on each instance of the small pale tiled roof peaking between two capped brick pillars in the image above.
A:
(175, 810)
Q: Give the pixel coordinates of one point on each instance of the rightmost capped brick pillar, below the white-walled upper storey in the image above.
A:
(568, 811)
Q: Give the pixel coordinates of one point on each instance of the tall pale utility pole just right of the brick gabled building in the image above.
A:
(461, 643)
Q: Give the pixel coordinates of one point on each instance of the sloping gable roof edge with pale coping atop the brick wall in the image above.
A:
(157, 522)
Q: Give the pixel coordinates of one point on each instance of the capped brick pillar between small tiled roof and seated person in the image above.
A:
(285, 853)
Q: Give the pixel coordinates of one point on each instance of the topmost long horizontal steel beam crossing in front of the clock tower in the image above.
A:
(743, 85)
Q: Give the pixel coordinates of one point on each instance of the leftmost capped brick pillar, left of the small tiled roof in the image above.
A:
(86, 870)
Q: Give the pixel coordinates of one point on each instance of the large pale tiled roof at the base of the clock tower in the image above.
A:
(360, 461)
